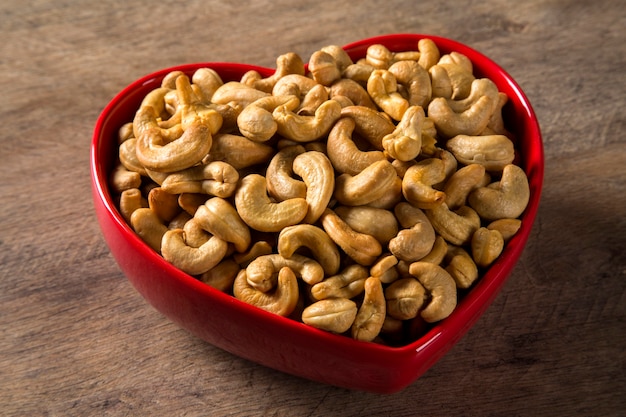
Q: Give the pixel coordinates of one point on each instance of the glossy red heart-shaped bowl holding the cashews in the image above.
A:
(282, 343)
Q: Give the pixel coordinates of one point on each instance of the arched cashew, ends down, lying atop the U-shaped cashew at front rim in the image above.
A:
(261, 272)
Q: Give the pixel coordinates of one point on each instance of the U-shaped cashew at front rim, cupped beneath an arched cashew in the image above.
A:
(281, 301)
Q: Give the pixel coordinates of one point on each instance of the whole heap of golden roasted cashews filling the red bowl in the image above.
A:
(360, 198)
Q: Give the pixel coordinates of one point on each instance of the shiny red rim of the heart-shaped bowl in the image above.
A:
(447, 331)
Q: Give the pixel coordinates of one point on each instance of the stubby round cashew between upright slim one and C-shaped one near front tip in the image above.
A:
(405, 297)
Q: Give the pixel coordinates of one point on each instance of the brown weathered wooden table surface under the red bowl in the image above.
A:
(76, 339)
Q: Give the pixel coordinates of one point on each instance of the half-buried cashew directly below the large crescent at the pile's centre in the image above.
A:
(374, 221)
